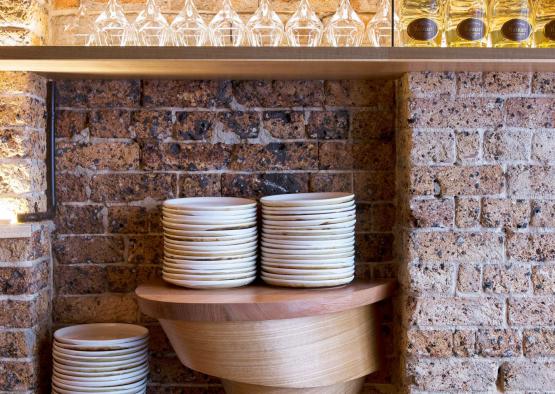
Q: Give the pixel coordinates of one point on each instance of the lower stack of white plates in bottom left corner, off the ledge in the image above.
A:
(100, 358)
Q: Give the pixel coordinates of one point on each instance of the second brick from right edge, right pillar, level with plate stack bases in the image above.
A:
(506, 278)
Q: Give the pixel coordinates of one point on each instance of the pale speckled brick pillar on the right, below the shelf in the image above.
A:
(477, 181)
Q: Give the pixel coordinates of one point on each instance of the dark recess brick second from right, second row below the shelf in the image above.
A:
(328, 125)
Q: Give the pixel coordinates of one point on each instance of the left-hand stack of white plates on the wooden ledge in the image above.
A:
(210, 242)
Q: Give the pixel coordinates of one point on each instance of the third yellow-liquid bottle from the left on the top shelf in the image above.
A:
(512, 23)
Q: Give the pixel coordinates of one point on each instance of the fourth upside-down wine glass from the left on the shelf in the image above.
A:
(188, 27)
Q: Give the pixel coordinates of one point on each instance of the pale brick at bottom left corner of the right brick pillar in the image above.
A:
(453, 375)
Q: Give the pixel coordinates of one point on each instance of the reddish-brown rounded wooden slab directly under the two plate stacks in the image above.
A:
(257, 302)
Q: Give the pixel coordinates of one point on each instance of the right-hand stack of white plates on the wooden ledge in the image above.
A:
(308, 239)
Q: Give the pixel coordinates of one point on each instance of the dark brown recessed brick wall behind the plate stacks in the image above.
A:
(125, 146)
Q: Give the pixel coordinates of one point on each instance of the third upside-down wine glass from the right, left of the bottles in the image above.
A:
(304, 29)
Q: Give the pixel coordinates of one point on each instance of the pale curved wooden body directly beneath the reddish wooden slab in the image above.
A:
(303, 352)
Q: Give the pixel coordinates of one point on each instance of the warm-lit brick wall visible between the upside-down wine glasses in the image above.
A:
(63, 11)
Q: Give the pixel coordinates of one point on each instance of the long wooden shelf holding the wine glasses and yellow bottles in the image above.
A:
(265, 63)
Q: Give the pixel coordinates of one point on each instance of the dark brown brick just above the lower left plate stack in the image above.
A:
(95, 308)
